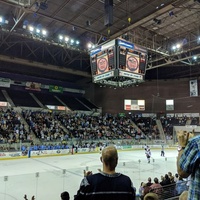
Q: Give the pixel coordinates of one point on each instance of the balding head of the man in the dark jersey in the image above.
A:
(110, 157)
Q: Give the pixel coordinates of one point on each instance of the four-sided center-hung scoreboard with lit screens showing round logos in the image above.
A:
(118, 63)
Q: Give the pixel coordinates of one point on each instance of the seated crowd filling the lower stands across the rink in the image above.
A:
(59, 127)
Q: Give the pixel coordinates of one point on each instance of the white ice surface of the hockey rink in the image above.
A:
(46, 178)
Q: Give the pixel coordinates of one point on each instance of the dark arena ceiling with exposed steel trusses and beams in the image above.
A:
(154, 24)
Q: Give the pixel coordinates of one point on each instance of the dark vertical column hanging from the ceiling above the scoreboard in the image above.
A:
(108, 18)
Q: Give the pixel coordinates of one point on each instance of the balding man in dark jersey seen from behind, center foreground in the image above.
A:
(108, 184)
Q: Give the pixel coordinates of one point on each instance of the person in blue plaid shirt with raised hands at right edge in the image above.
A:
(188, 162)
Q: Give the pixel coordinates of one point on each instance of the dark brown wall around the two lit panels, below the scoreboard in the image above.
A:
(155, 93)
